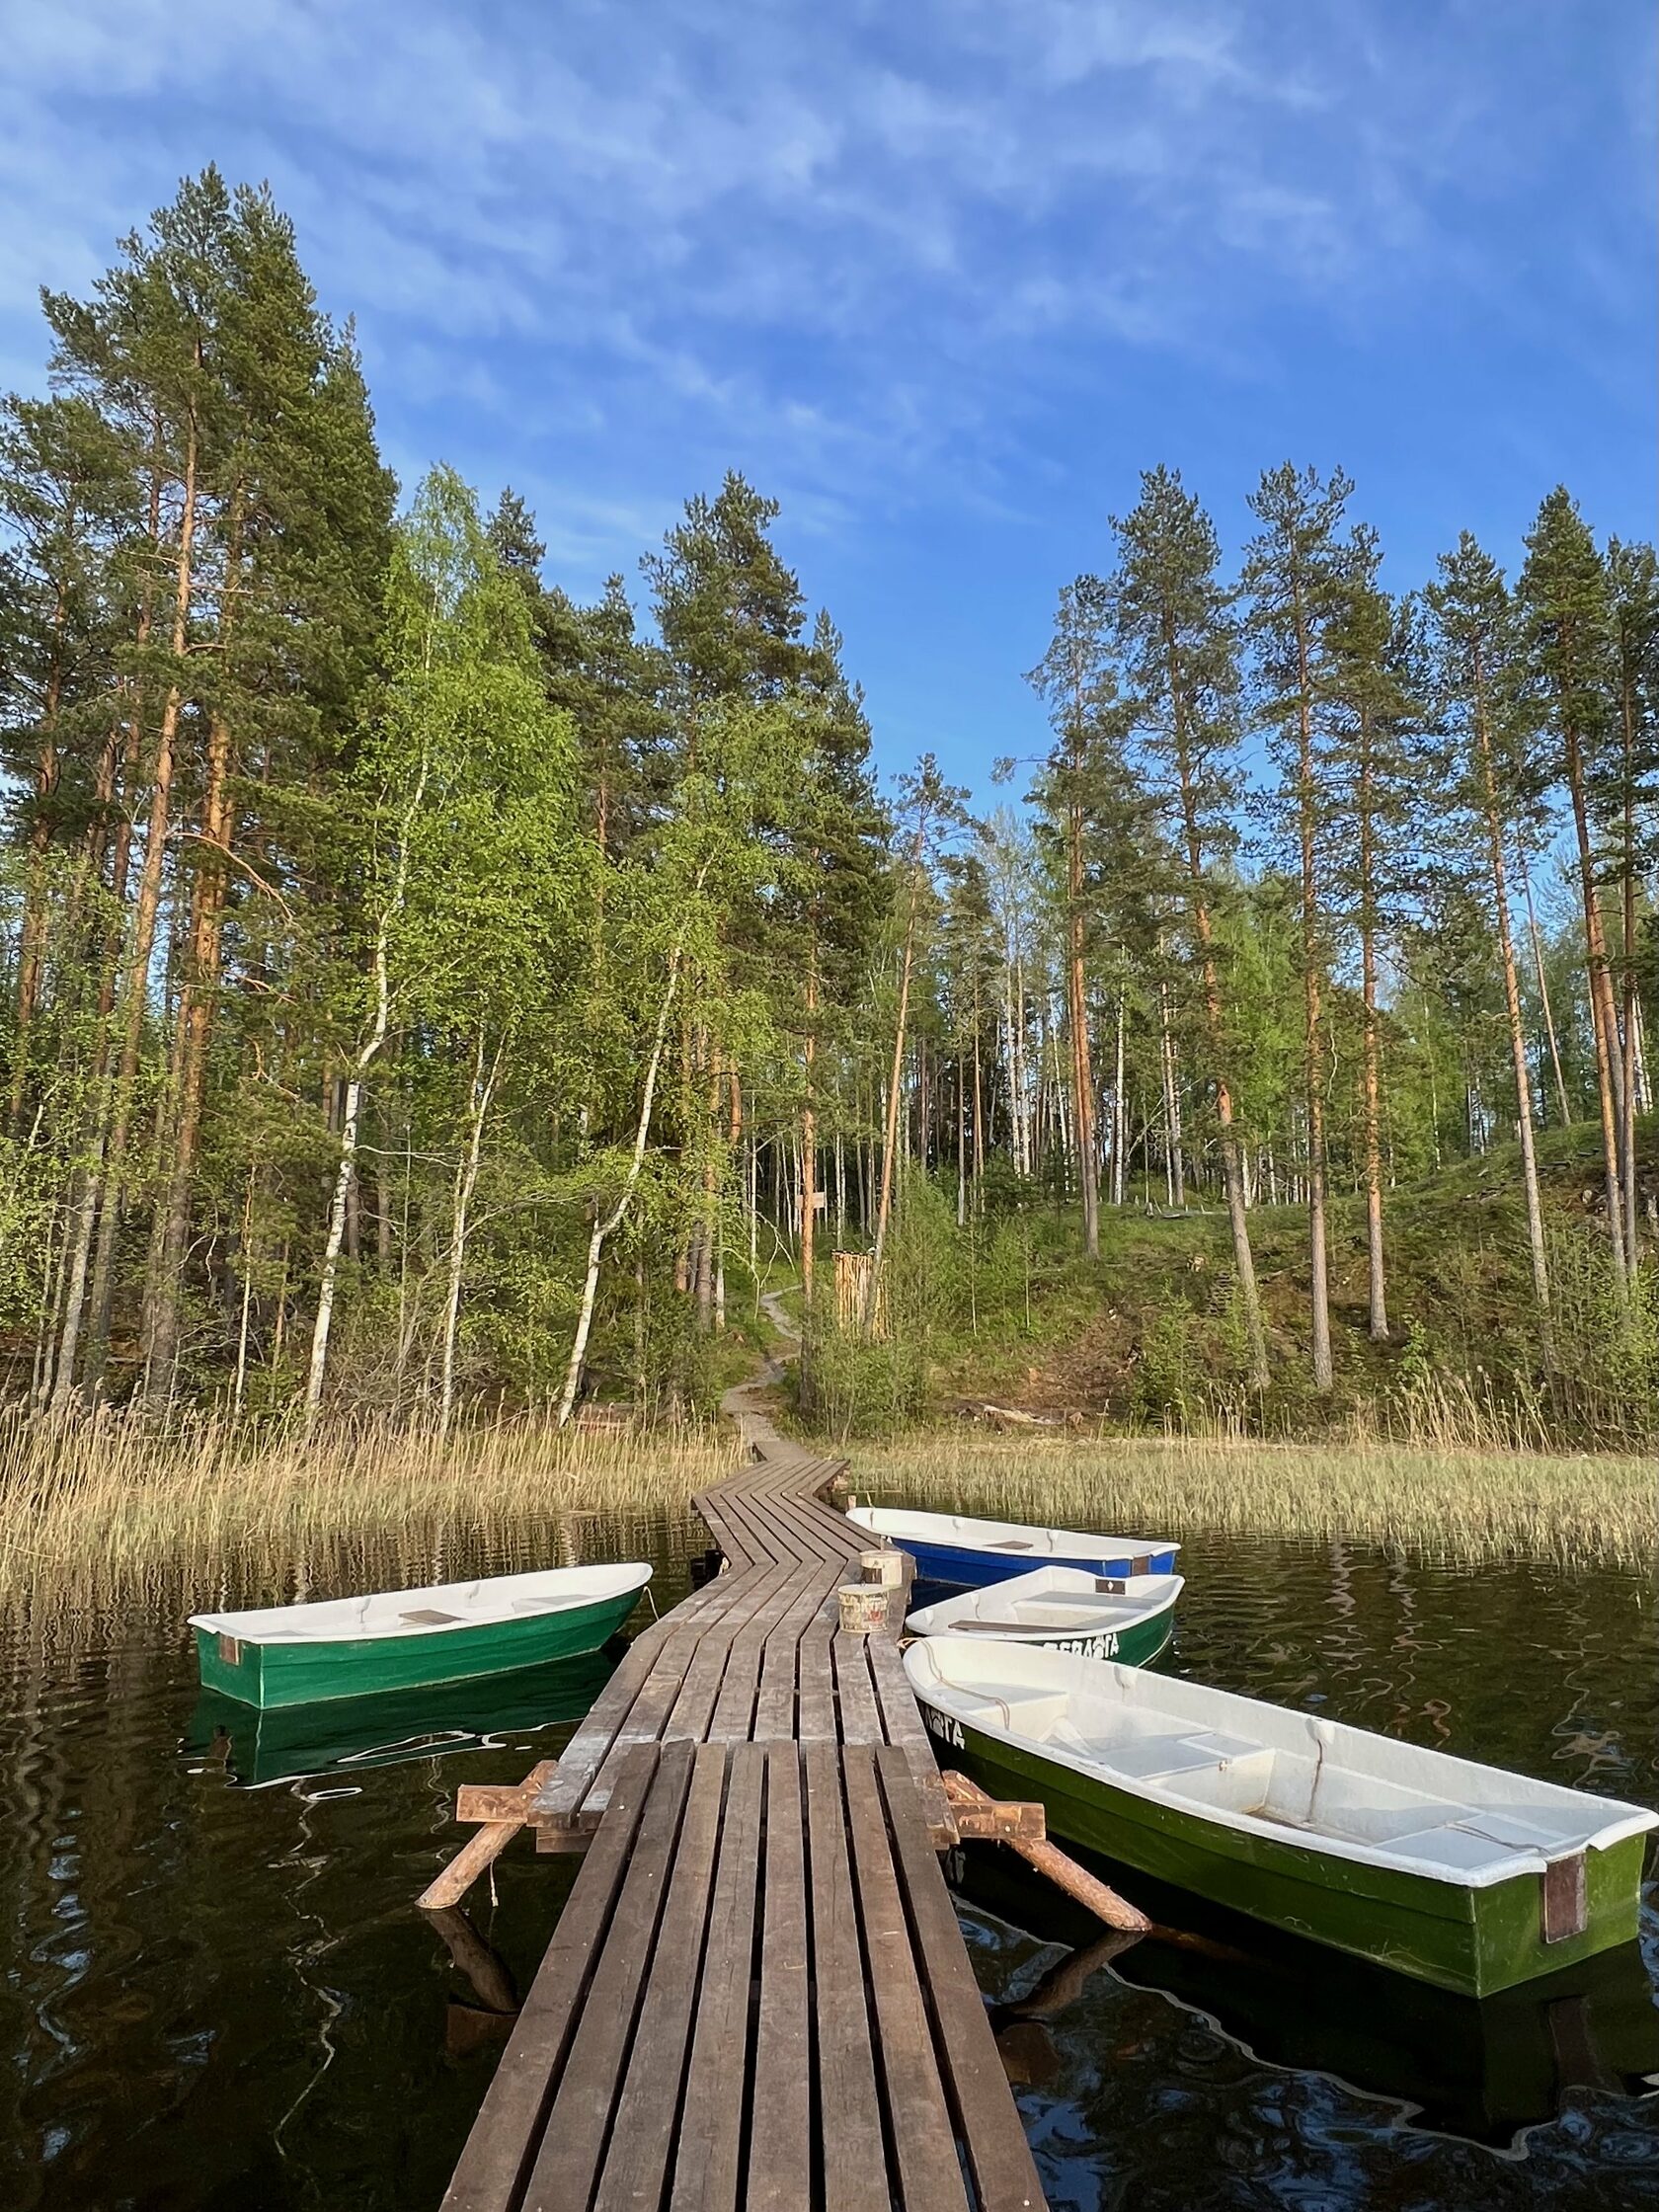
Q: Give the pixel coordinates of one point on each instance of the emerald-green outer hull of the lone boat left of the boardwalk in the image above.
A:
(309, 1673)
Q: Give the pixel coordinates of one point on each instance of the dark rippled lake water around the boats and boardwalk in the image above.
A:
(218, 1994)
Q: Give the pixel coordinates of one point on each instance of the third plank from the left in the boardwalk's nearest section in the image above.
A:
(643, 2138)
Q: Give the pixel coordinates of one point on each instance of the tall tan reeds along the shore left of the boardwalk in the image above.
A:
(90, 1510)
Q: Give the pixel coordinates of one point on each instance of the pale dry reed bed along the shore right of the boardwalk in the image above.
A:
(1472, 1507)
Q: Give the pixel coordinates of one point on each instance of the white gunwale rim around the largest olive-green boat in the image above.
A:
(1306, 1844)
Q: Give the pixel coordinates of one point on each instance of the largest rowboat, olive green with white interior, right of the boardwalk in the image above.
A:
(1426, 1864)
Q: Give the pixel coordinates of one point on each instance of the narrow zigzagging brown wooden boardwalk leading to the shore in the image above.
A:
(758, 1992)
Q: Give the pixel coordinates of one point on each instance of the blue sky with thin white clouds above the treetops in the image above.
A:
(941, 278)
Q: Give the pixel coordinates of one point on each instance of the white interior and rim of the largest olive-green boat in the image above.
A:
(1266, 1771)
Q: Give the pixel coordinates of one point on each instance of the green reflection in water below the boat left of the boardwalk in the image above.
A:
(353, 1733)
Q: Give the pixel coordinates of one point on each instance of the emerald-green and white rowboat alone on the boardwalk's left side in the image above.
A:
(395, 1640)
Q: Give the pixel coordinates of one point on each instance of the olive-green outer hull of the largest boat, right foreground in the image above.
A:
(1474, 1941)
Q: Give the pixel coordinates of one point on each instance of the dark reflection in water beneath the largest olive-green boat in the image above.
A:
(1465, 2067)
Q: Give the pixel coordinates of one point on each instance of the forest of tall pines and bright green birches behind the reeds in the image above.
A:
(430, 994)
